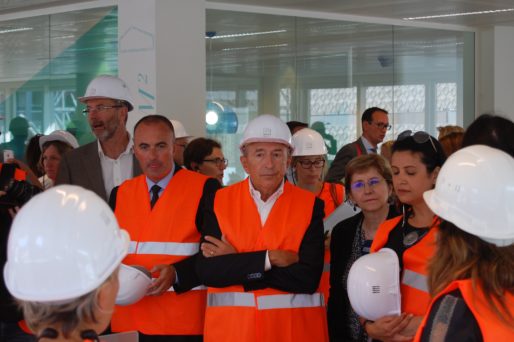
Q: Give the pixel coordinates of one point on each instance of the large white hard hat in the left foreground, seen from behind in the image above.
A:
(64, 243)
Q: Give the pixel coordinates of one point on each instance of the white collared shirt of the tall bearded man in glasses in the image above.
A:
(116, 171)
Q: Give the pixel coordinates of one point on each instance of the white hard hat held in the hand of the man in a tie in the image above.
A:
(134, 281)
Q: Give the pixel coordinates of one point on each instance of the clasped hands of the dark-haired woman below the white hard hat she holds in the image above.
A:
(390, 328)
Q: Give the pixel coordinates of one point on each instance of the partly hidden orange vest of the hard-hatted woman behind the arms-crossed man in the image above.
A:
(333, 195)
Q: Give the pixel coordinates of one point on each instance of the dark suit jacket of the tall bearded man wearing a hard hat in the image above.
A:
(81, 166)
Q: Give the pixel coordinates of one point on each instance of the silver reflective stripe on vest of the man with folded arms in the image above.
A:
(286, 301)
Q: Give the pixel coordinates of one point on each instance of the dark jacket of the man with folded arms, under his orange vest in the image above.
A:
(247, 269)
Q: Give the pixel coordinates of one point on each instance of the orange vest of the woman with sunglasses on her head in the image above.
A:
(414, 286)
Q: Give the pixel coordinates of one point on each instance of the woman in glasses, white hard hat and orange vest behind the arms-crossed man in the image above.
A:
(308, 164)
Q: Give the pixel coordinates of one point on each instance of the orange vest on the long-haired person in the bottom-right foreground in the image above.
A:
(490, 325)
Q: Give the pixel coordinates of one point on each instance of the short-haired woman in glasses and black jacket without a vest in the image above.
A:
(369, 186)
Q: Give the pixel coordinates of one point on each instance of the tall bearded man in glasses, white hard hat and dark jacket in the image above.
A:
(103, 164)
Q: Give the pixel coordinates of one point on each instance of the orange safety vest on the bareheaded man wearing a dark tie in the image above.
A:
(165, 234)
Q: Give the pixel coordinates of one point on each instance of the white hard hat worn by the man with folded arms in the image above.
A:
(266, 128)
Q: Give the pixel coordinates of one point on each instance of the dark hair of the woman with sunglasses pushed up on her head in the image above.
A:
(429, 157)
